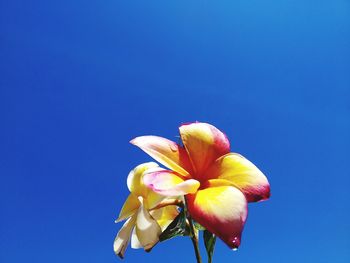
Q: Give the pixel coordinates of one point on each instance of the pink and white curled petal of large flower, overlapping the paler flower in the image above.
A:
(168, 183)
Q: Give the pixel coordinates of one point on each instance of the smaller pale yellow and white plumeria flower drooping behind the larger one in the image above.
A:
(145, 222)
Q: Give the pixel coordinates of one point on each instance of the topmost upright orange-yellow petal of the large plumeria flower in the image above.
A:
(204, 144)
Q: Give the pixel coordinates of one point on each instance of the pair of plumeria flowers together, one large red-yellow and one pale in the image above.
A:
(213, 184)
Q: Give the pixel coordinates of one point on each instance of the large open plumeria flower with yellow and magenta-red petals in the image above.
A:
(217, 184)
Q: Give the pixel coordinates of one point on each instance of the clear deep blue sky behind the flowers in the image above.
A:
(79, 79)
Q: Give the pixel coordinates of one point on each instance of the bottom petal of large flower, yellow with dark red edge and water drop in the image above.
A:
(222, 210)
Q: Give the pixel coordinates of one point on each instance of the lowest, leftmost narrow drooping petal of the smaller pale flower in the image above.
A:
(123, 237)
